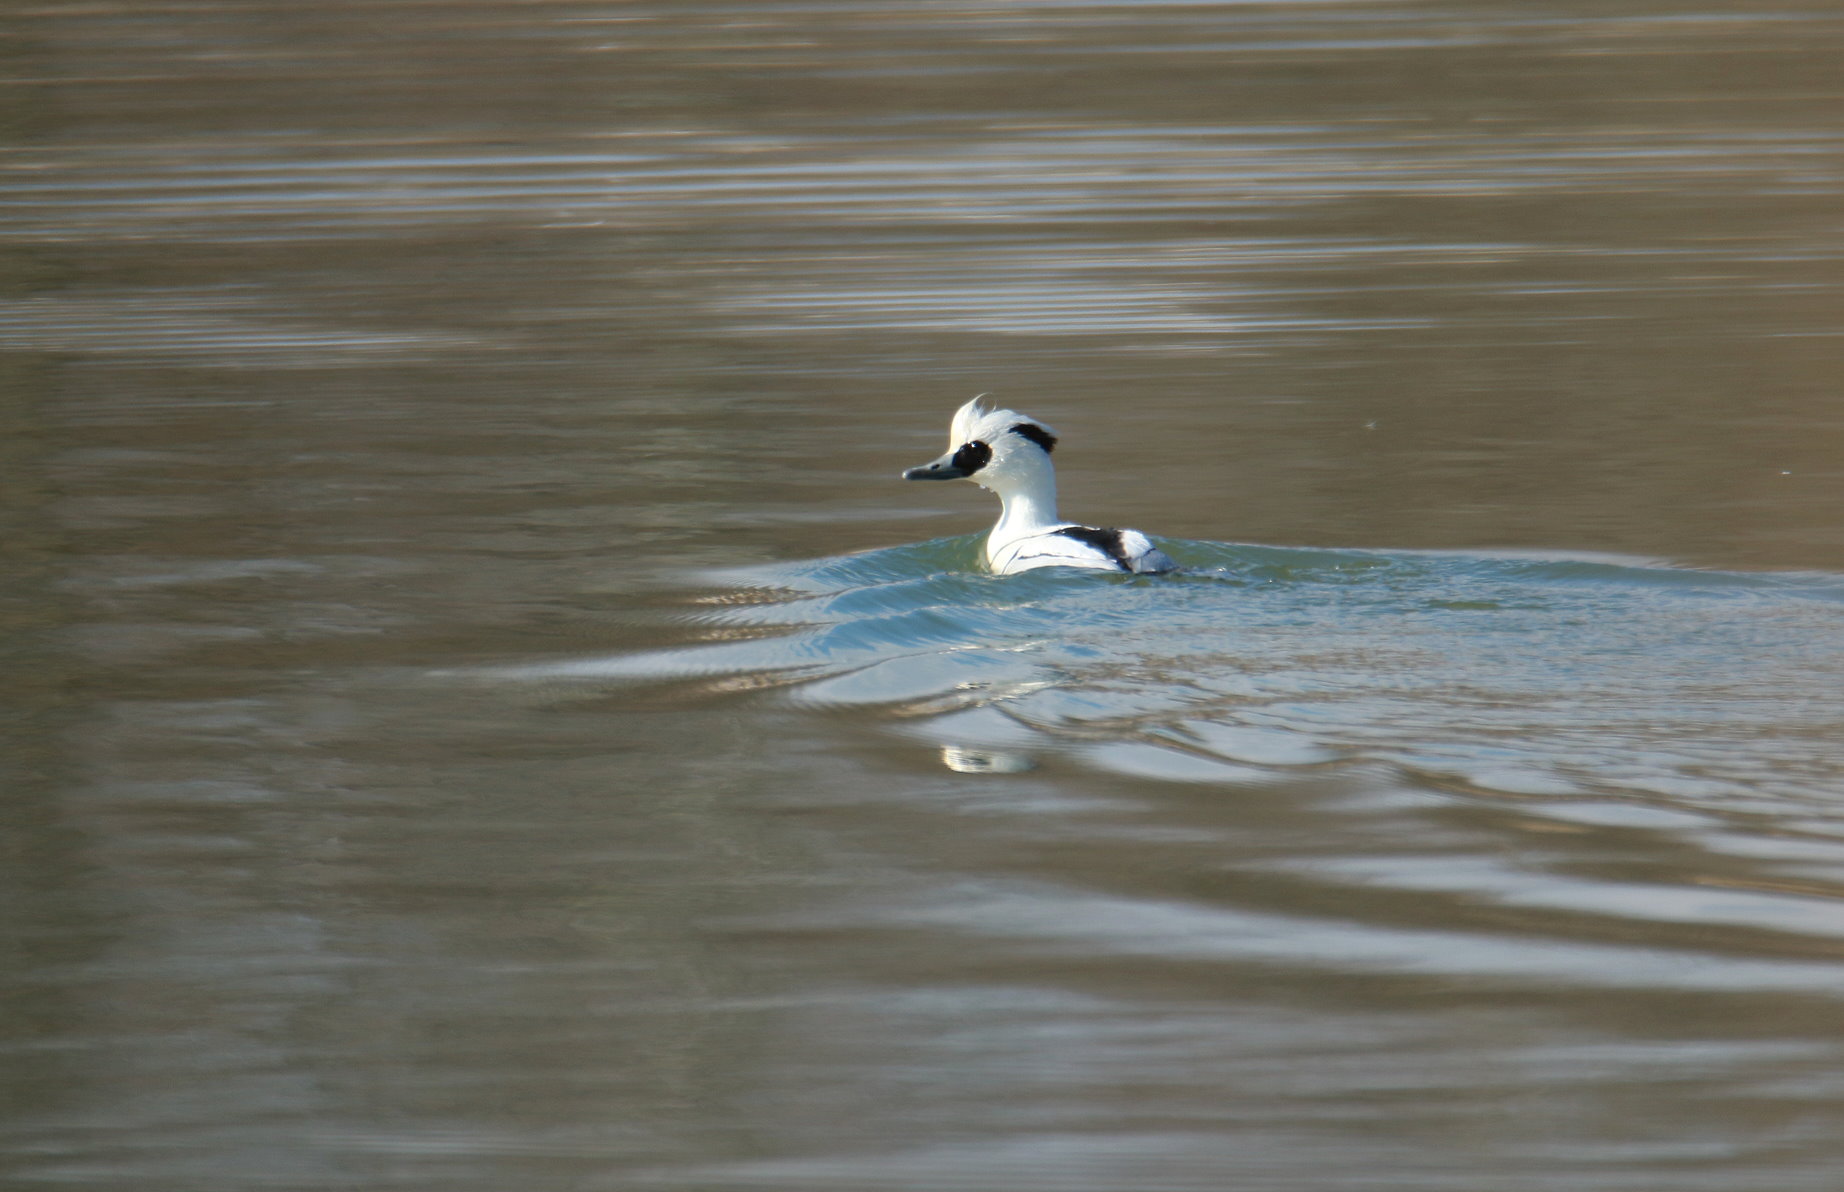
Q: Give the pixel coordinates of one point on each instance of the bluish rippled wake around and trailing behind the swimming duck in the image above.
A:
(1500, 676)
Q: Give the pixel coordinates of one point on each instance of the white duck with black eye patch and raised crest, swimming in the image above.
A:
(1010, 455)
